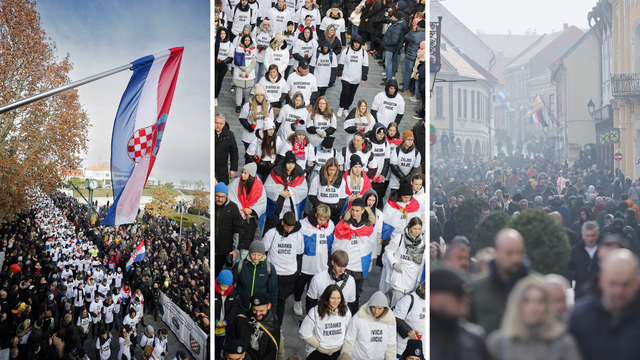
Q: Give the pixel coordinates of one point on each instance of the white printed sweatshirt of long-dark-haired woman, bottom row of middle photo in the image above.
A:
(329, 331)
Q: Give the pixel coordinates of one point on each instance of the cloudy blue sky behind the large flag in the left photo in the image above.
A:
(102, 35)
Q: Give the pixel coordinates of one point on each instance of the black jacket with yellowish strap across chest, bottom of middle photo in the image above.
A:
(241, 329)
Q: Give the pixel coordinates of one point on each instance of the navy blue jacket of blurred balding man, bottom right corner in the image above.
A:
(600, 336)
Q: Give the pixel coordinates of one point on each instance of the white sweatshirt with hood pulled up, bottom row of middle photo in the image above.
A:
(371, 338)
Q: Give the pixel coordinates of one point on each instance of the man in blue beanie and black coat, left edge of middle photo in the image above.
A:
(226, 212)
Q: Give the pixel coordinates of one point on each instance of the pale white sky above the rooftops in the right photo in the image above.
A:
(498, 16)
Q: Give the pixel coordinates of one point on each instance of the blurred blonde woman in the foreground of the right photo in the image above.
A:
(530, 329)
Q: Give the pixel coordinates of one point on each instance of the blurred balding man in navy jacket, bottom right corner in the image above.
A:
(606, 325)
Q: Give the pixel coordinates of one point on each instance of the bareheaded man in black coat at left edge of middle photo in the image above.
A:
(226, 151)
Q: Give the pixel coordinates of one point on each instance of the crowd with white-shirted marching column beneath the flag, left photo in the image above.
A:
(66, 292)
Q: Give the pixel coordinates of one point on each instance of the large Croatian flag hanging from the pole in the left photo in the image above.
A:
(138, 129)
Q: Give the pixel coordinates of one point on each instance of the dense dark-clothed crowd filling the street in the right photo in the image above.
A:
(488, 303)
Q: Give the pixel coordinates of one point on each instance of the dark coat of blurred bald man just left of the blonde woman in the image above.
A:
(489, 297)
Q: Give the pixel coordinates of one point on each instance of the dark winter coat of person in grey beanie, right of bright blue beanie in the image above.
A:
(255, 278)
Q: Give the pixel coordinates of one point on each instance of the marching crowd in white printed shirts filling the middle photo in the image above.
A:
(324, 183)
